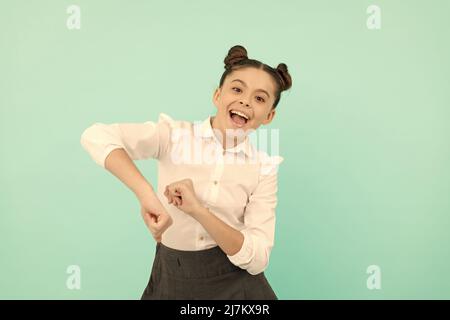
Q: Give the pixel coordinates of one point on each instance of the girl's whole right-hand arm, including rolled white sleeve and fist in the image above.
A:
(248, 248)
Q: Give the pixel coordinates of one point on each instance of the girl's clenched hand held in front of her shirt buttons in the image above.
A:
(182, 195)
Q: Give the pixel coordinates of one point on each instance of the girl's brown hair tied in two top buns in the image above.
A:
(237, 58)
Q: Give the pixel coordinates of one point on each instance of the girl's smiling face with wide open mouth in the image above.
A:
(248, 91)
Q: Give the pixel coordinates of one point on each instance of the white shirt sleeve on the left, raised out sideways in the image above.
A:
(139, 140)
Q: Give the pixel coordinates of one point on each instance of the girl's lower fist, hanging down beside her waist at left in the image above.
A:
(155, 216)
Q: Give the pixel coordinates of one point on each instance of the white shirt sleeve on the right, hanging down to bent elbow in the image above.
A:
(259, 220)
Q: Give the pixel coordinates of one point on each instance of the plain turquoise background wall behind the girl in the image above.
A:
(364, 132)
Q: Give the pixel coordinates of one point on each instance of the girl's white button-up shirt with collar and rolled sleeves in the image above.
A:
(238, 185)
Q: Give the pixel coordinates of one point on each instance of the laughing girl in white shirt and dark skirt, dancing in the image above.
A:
(213, 213)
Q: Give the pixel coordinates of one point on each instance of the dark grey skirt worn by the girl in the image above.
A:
(205, 275)
